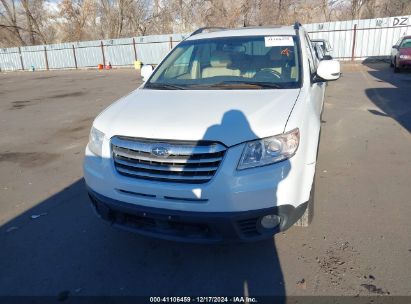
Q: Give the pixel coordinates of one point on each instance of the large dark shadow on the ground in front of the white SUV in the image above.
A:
(68, 249)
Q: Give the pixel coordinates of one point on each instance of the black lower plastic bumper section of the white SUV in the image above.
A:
(189, 226)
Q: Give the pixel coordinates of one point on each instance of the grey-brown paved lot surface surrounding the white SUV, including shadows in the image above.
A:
(358, 244)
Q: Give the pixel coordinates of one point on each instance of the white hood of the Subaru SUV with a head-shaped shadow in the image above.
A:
(227, 116)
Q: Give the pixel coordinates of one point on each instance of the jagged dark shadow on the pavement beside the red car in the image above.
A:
(393, 101)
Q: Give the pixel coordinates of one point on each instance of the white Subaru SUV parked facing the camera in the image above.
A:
(219, 143)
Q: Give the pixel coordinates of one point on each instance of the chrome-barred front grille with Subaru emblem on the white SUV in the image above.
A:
(181, 162)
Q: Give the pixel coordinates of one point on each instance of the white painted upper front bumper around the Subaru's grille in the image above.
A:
(285, 183)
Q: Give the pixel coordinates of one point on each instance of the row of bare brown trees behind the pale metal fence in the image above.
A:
(24, 22)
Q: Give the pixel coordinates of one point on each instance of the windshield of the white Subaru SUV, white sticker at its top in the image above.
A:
(257, 62)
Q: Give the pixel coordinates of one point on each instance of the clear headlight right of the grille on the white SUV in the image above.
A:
(269, 150)
